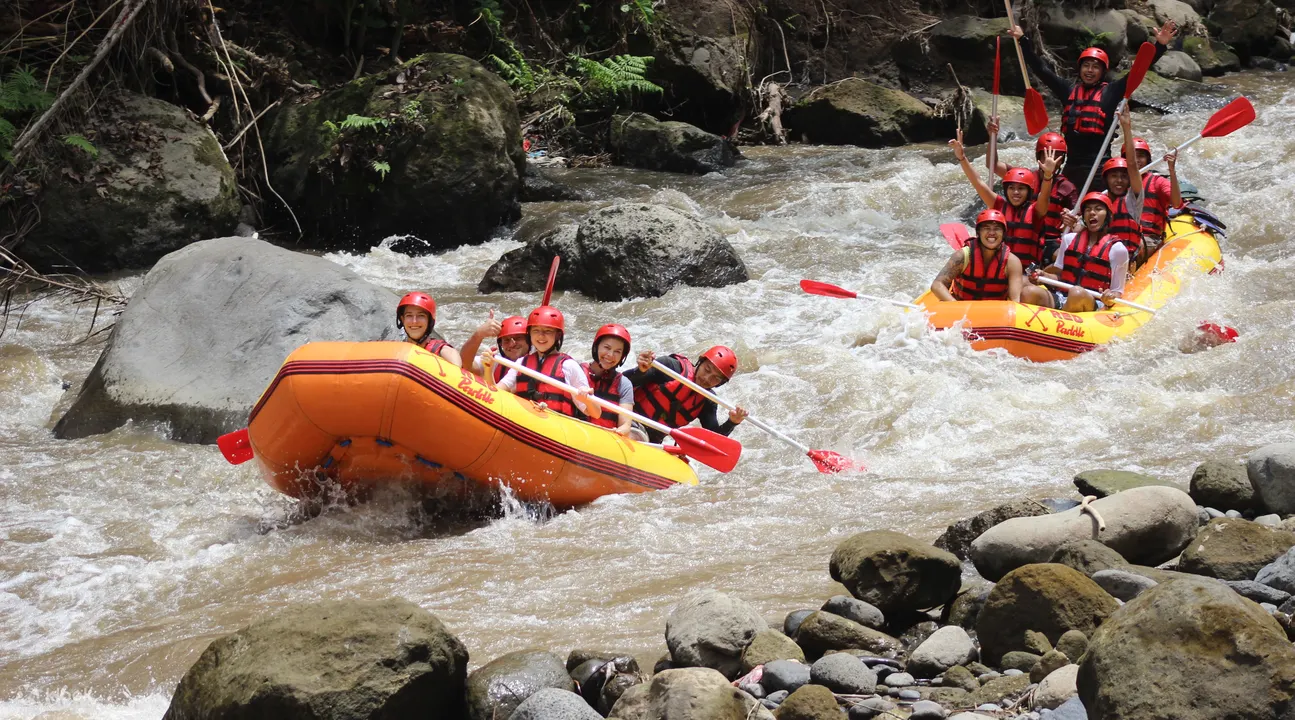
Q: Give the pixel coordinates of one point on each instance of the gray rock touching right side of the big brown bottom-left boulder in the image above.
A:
(499, 687)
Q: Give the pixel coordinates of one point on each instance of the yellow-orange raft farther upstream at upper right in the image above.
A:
(1043, 335)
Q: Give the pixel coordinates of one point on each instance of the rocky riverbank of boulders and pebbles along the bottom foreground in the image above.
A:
(1151, 600)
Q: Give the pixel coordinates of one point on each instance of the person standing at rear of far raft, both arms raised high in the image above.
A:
(1088, 108)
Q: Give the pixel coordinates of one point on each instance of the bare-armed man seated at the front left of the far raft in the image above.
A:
(986, 270)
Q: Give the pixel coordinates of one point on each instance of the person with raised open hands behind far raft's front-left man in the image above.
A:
(1022, 212)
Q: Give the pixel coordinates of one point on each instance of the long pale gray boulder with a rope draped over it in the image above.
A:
(1145, 525)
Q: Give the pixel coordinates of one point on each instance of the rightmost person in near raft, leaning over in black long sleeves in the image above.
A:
(670, 402)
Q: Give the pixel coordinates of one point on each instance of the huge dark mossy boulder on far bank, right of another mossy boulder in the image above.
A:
(447, 134)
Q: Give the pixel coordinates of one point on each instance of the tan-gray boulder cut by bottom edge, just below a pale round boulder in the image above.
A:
(695, 693)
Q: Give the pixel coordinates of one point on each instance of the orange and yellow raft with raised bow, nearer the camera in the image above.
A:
(365, 415)
